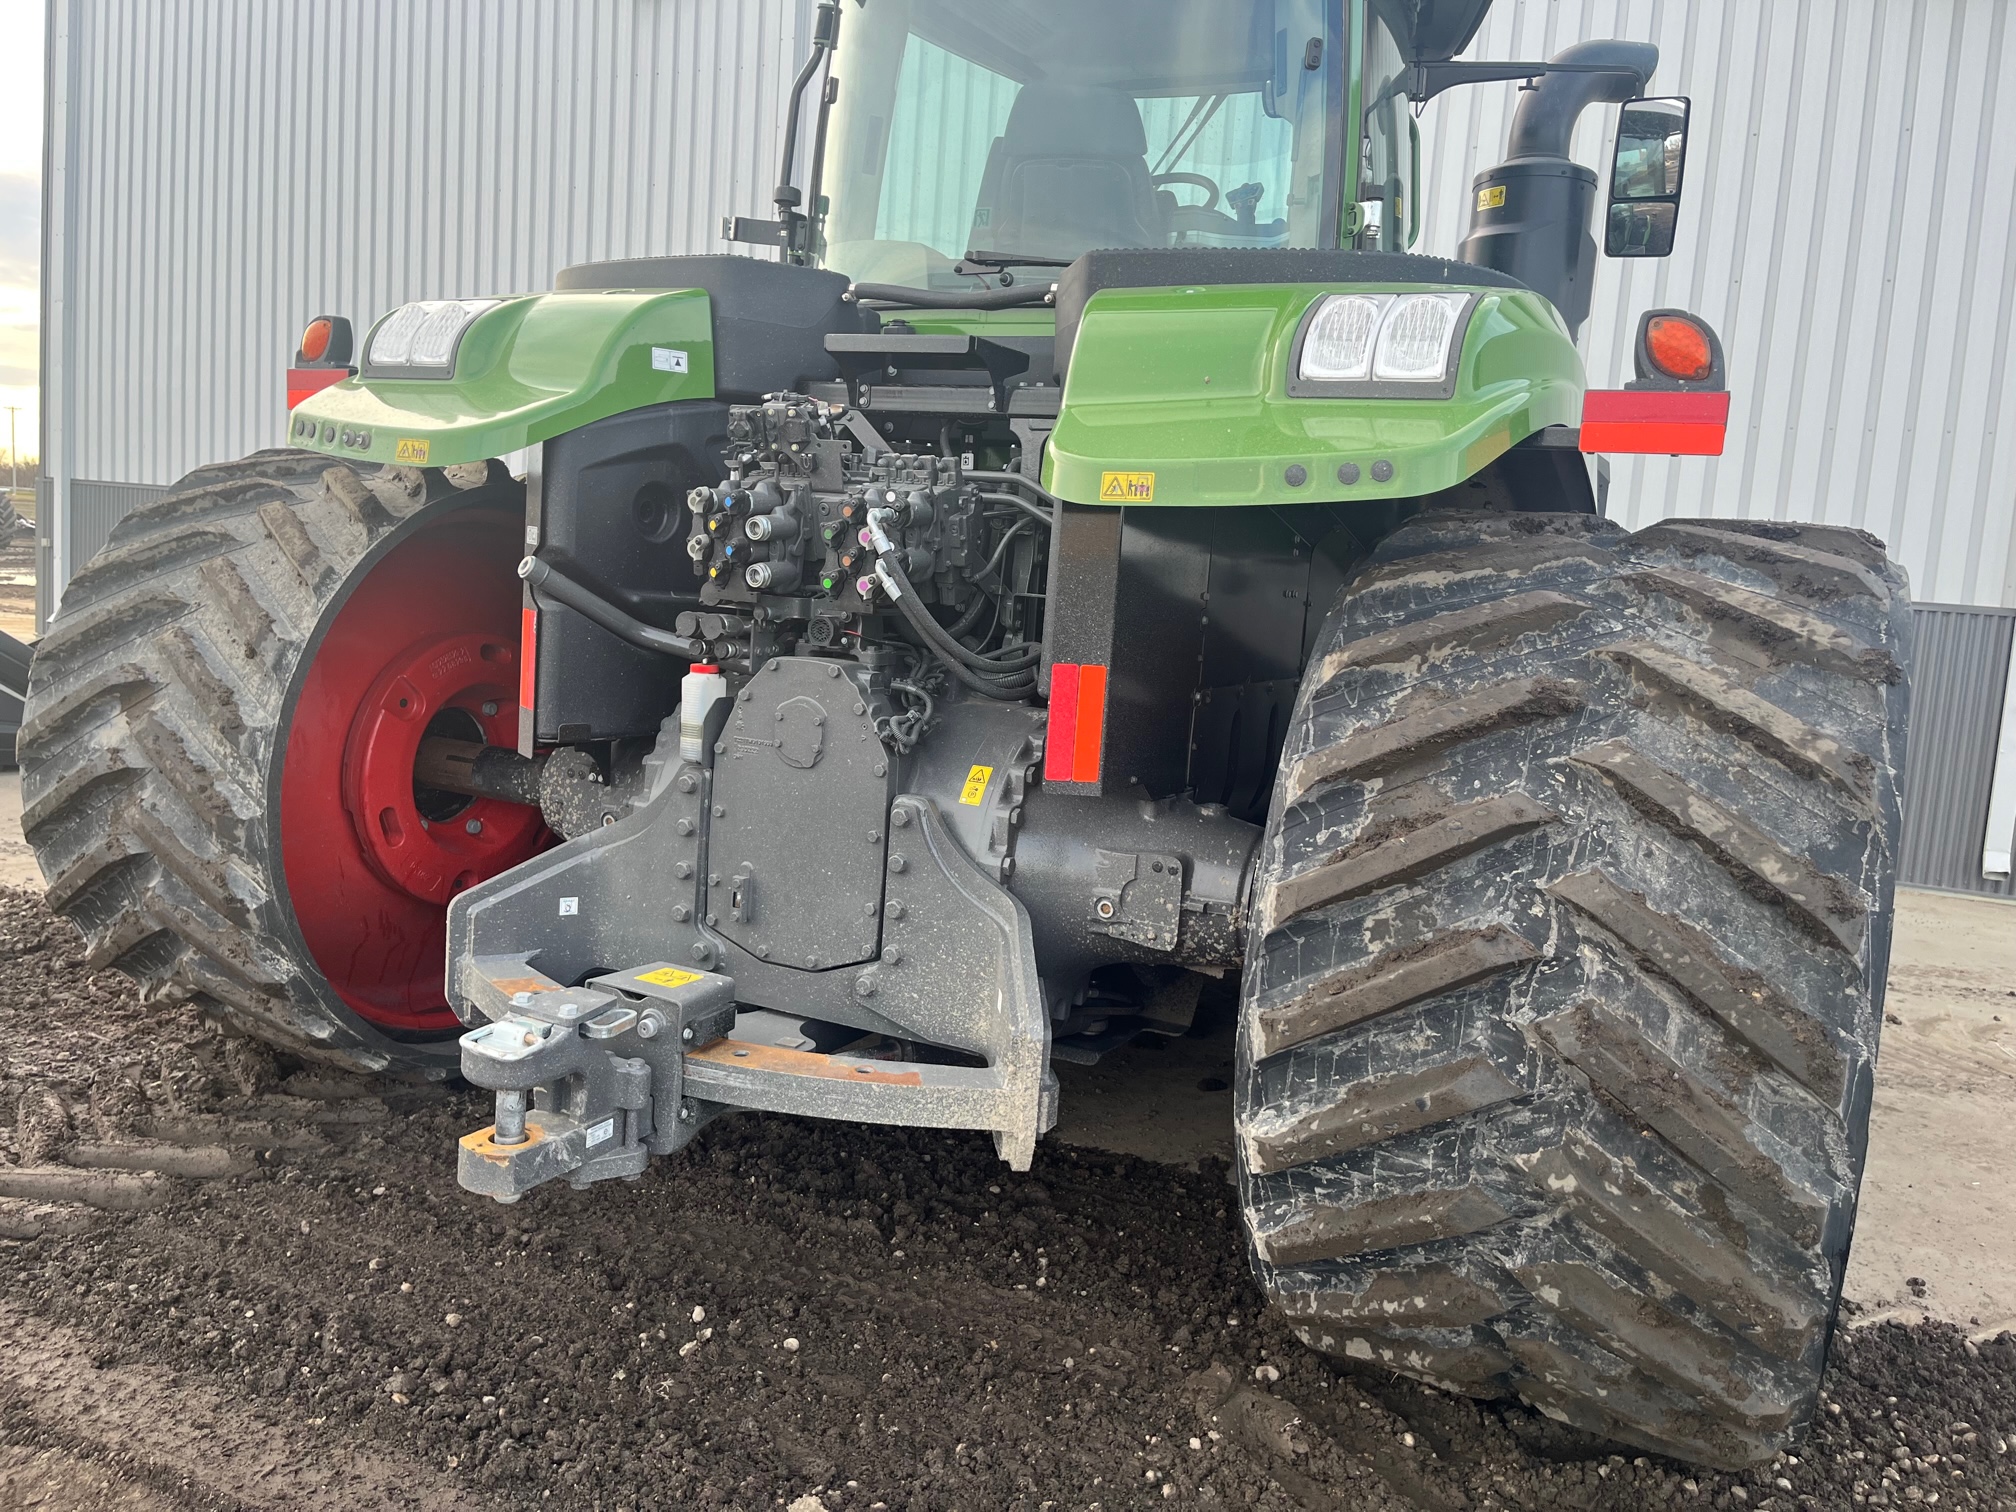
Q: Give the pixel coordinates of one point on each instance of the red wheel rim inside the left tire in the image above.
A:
(430, 634)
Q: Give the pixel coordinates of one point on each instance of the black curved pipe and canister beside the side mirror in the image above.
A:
(1531, 217)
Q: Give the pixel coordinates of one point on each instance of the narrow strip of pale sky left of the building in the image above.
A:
(21, 215)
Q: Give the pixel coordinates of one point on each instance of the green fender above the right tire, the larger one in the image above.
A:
(1180, 396)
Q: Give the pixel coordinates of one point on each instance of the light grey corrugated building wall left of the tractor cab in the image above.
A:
(221, 170)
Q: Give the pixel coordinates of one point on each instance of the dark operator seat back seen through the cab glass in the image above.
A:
(1069, 172)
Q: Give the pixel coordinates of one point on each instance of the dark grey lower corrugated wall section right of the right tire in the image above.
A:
(1959, 670)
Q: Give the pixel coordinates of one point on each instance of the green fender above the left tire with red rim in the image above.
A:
(529, 370)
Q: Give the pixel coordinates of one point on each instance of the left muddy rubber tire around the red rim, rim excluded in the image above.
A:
(150, 753)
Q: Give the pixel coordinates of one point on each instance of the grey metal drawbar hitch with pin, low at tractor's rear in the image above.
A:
(590, 1082)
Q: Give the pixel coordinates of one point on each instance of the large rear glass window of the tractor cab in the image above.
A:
(1031, 132)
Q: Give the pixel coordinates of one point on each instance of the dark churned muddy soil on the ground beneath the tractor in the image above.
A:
(793, 1315)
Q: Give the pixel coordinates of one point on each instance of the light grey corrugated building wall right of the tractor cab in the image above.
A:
(1852, 233)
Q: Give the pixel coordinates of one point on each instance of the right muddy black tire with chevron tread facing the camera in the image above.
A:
(1567, 969)
